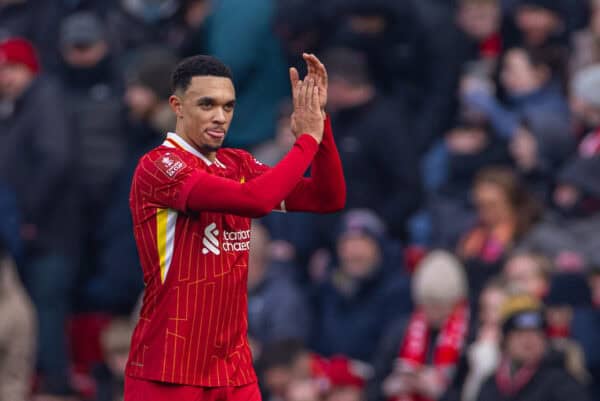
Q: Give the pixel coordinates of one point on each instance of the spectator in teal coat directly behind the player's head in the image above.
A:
(241, 35)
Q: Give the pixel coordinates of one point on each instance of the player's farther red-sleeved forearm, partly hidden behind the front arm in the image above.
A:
(325, 190)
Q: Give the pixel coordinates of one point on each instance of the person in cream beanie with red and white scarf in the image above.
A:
(428, 346)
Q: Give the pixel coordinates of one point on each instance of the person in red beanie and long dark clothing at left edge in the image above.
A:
(35, 160)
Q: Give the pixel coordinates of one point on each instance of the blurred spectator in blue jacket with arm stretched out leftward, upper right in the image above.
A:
(535, 117)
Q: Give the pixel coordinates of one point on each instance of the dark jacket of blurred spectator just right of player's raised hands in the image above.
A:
(380, 160)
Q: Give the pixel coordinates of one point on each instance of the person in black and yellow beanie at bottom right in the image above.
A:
(527, 370)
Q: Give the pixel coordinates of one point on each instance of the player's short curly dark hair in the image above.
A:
(200, 65)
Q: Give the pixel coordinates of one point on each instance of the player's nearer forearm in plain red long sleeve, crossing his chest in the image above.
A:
(258, 196)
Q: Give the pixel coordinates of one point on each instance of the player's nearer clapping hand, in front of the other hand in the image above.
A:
(307, 117)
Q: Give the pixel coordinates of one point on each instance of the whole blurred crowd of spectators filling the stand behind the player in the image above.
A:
(466, 266)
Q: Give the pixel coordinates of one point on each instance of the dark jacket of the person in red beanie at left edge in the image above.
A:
(35, 159)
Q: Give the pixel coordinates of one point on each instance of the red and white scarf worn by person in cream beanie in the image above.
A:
(448, 347)
